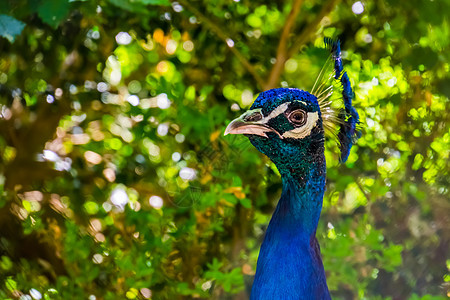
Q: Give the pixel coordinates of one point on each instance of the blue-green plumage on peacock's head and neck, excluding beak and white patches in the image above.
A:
(289, 264)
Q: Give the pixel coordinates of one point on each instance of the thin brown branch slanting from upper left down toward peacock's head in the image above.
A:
(224, 37)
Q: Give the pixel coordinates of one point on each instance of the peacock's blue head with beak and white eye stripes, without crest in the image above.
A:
(285, 124)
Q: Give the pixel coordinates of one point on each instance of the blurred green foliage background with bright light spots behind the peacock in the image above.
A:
(116, 181)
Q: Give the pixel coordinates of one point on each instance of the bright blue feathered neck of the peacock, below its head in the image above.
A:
(289, 263)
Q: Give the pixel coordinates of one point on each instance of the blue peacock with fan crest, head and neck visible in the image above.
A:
(287, 125)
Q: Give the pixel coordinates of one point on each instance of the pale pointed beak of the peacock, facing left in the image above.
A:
(251, 122)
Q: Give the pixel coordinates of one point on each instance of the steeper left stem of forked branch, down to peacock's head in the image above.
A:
(282, 50)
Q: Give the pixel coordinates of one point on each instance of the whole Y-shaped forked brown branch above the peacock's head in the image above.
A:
(282, 54)
